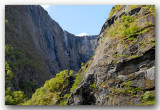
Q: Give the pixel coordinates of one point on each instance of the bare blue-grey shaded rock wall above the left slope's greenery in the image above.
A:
(58, 48)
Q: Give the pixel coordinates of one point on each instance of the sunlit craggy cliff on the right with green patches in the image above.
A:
(123, 67)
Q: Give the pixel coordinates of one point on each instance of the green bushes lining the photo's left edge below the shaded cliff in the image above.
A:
(11, 97)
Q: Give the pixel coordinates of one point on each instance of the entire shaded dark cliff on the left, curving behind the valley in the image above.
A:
(41, 48)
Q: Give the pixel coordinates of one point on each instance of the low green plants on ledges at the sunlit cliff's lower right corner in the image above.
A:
(147, 98)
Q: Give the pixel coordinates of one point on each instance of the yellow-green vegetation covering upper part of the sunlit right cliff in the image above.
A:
(128, 30)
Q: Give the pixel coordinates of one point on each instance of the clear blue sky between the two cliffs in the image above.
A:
(80, 19)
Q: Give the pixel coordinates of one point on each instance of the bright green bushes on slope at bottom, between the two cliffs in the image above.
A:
(50, 92)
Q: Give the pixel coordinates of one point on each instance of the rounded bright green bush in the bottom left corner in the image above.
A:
(14, 97)
